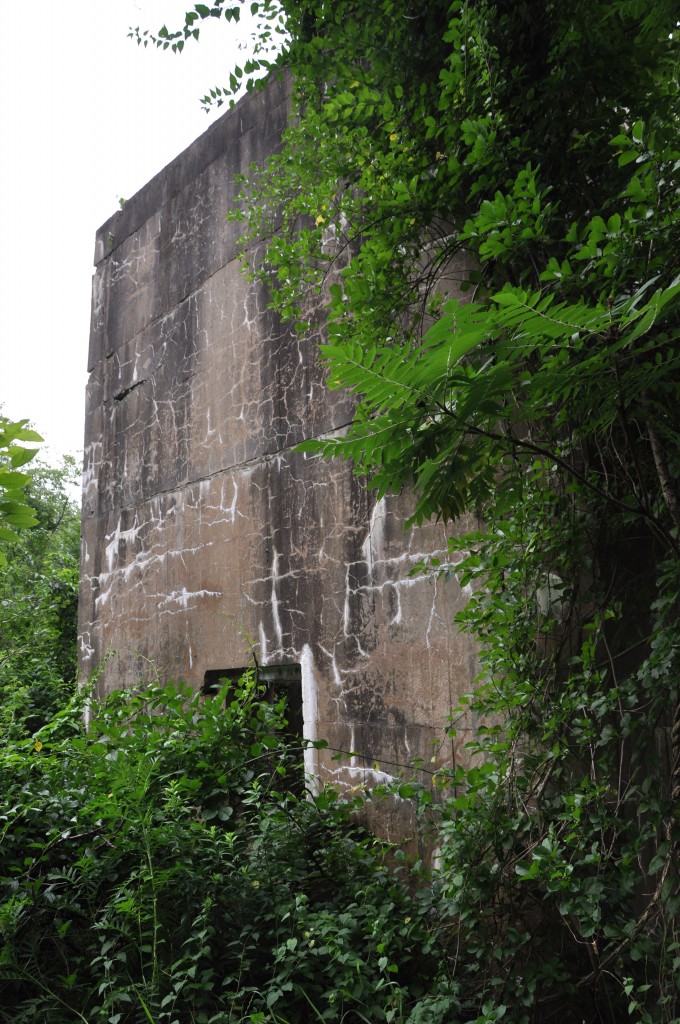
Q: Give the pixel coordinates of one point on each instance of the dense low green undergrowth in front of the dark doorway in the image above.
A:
(158, 868)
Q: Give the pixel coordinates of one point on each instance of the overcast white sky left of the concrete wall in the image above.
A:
(87, 117)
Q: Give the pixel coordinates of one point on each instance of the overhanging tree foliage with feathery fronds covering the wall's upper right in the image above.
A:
(388, 191)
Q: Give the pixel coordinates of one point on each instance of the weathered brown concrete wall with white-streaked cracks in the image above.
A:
(204, 532)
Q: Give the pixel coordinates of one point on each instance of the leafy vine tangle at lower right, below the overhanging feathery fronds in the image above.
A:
(558, 885)
